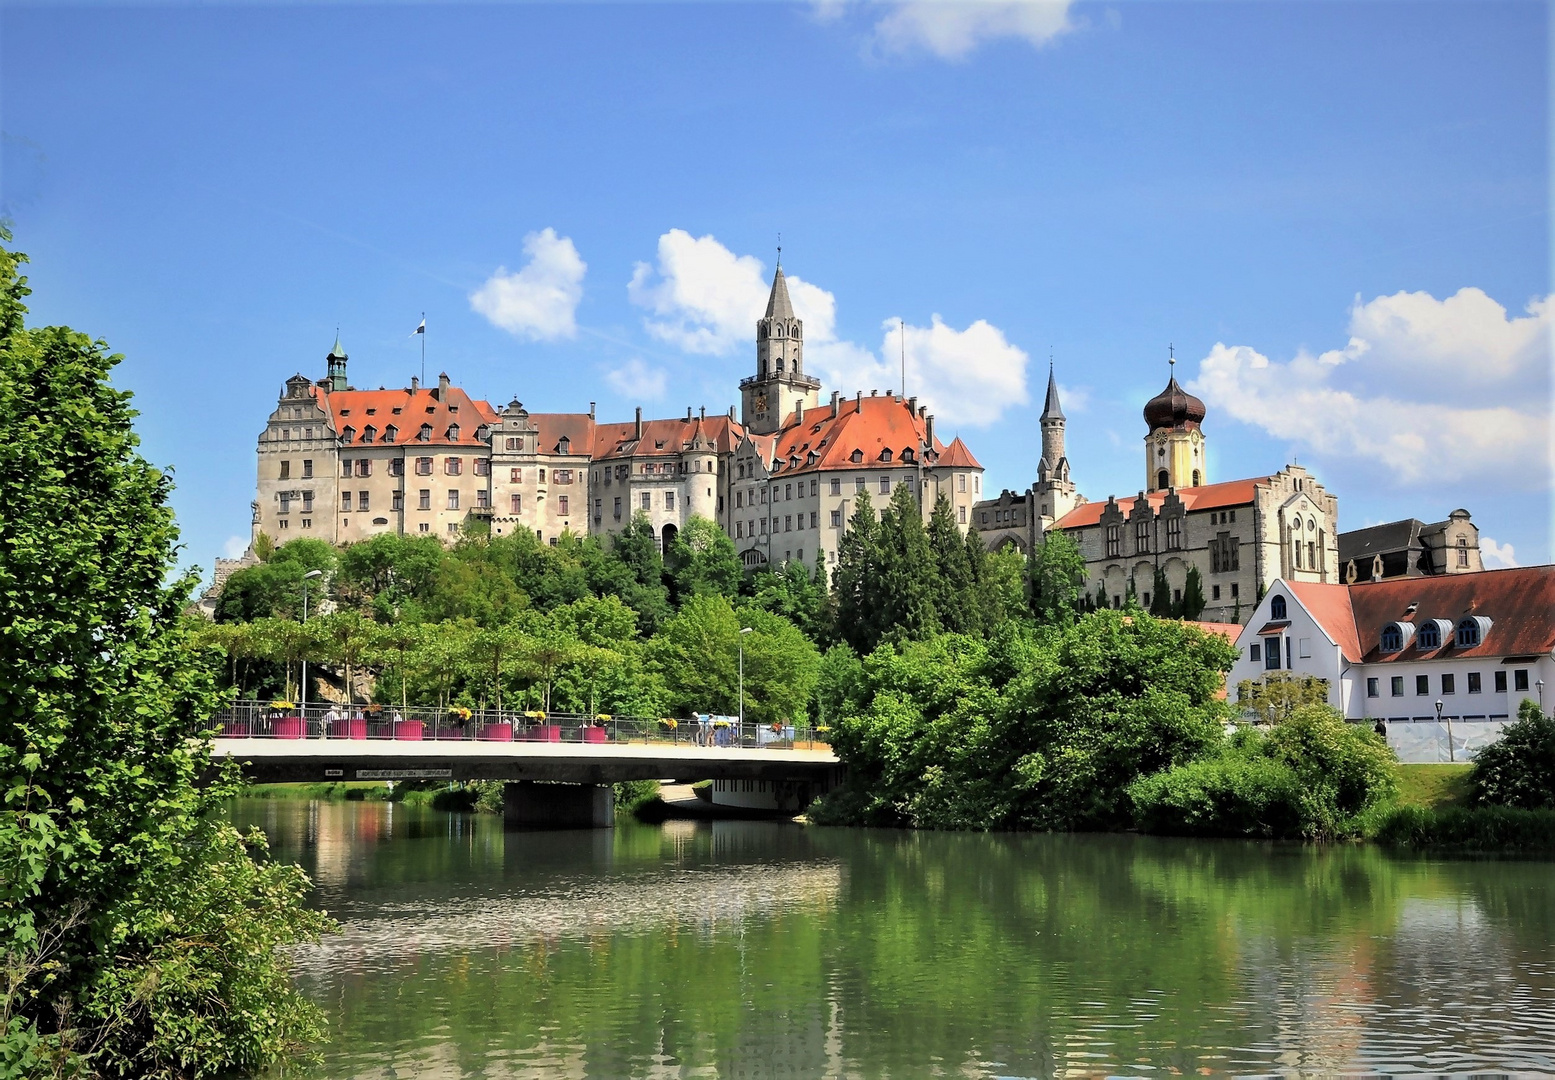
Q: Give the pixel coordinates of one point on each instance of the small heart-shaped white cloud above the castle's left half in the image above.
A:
(539, 302)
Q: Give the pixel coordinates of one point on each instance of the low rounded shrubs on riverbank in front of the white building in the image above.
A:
(1312, 778)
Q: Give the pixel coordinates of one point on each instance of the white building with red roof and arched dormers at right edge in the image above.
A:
(1475, 644)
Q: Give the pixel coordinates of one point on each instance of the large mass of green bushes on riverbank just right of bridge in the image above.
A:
(1033, 728)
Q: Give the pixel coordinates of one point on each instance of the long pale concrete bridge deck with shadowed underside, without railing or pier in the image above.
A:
(307, 761)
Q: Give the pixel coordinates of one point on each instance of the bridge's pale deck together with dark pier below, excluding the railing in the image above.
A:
(550, 784)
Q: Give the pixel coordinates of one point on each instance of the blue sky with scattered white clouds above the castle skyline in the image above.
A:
(1338, 214)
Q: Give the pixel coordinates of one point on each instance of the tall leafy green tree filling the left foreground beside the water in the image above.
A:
(142, 935)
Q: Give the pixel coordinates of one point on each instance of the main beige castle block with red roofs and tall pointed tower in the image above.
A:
(343, 464)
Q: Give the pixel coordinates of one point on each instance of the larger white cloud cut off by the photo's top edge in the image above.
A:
(954, 29)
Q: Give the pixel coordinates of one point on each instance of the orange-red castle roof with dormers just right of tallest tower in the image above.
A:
(867, 425)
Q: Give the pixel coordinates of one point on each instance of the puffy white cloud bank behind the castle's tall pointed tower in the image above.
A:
(705, 299)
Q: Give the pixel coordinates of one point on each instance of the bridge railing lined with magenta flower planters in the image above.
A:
(433, 725)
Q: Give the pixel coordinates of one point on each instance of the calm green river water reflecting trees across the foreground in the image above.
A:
(772, 950)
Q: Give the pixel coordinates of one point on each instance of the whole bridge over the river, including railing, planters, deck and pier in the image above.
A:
(548, 782)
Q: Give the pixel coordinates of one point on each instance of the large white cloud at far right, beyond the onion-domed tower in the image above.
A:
(1425, 391)
